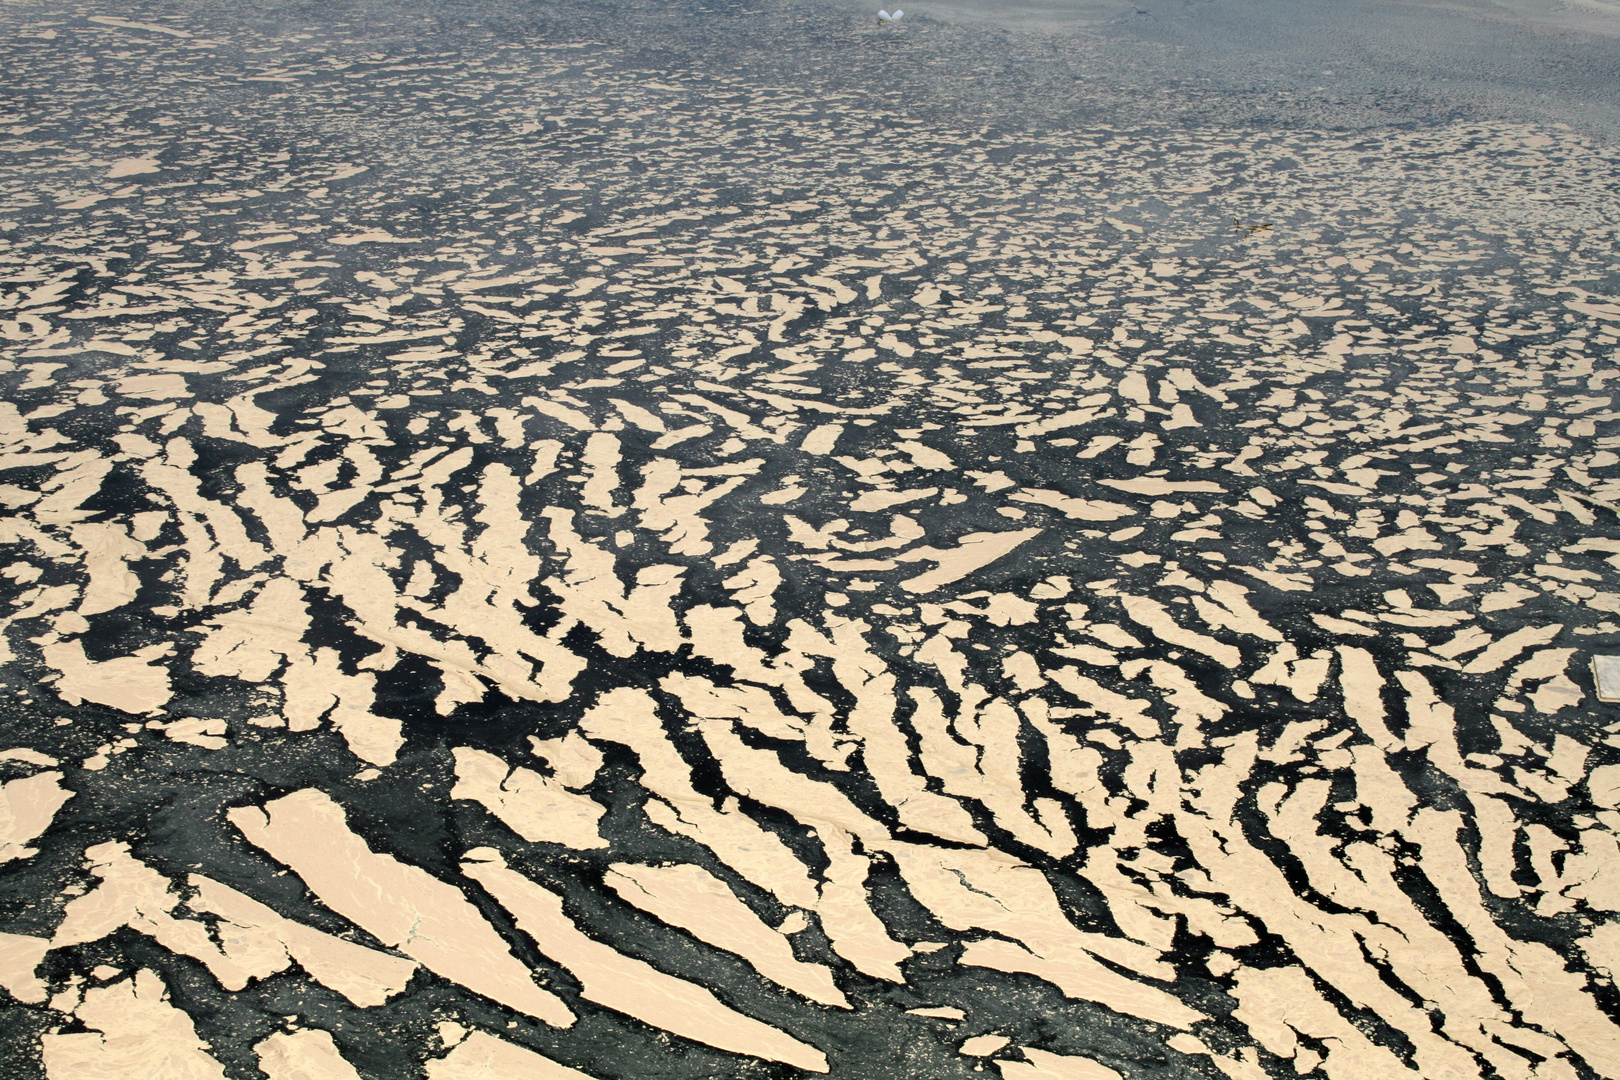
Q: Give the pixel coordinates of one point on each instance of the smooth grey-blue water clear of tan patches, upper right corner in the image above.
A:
(1266, 62)
